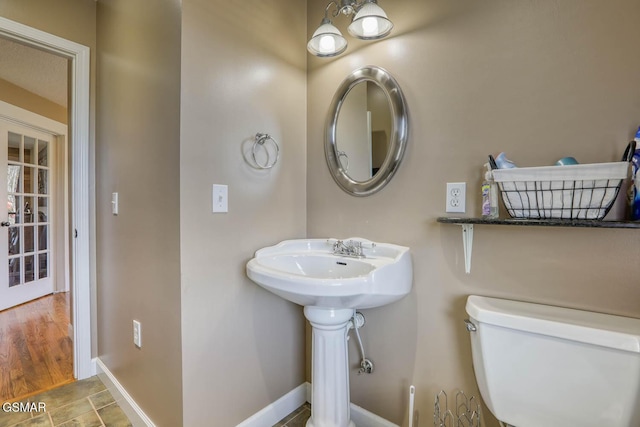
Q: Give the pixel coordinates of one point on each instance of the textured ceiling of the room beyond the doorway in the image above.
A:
(36, 71)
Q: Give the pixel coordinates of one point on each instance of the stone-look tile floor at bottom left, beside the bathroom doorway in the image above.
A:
(85, 403)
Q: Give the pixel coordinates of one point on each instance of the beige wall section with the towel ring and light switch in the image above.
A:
(243, 72)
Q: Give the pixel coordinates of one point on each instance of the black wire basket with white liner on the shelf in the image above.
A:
(585, 191)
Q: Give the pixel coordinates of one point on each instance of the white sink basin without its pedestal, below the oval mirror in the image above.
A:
(306, 272)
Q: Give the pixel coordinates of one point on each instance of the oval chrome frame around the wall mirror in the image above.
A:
(397, 139)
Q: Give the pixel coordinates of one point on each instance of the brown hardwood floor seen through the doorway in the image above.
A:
(36, 352)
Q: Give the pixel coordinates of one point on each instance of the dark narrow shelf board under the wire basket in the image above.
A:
(542, 222)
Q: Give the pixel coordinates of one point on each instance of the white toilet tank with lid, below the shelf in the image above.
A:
(543, 366)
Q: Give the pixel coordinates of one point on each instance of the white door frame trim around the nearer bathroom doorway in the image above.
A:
(82, 217)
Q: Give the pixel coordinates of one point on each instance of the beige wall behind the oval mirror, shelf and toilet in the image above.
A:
(537, 79)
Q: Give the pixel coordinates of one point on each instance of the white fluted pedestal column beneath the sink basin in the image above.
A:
(329, 367)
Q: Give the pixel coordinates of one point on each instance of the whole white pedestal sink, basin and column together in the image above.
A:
(331, 283)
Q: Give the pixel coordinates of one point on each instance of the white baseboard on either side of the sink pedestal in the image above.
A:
(295, 398)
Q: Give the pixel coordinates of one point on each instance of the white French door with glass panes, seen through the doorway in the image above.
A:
(25, 214)
